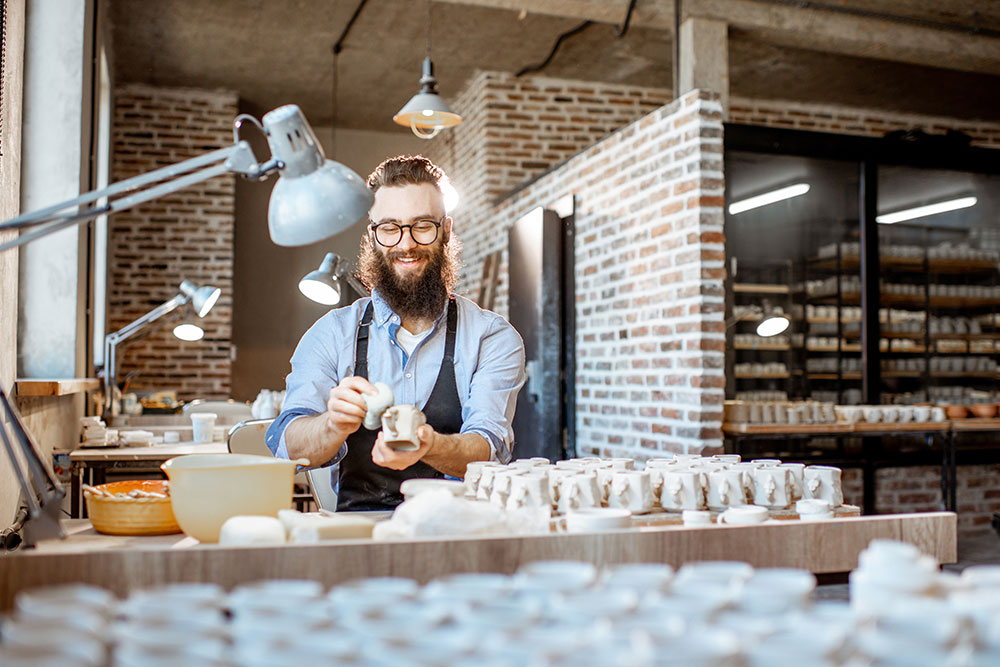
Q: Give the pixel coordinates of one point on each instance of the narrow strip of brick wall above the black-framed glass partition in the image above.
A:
(852, 120)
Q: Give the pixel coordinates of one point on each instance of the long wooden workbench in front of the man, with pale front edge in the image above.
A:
(123, 564)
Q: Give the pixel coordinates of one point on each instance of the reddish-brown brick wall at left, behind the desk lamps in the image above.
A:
(188, 234)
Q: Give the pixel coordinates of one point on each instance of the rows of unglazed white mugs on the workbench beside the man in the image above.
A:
(685, 482)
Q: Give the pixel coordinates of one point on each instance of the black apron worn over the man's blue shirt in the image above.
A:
(367, 486)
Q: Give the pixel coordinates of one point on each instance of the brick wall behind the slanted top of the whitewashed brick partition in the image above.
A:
(515, 129)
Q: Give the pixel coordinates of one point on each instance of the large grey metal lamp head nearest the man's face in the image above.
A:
(314, 198)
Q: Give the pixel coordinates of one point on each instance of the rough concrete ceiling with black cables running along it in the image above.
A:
(274, 52)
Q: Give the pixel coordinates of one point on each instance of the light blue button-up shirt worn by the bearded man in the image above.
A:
(489, 368)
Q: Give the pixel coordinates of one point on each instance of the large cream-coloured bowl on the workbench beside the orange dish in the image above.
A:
(207, 489)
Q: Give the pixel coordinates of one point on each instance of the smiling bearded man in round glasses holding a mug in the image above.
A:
(461, 365)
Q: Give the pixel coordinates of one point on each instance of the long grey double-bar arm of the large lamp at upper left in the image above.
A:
(238, 158)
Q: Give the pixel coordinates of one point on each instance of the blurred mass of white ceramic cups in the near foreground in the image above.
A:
(710, 613)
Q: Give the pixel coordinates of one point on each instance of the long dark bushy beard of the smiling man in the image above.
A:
(422, 296)
